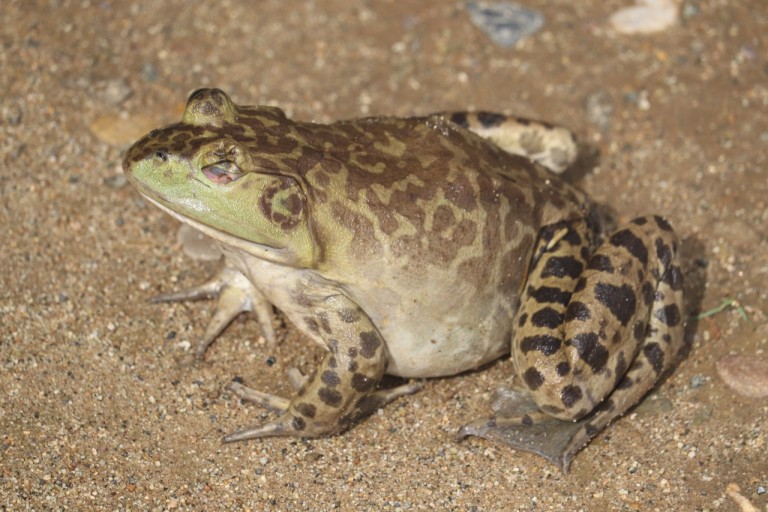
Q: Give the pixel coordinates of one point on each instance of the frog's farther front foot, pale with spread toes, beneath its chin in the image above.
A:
(235, 295)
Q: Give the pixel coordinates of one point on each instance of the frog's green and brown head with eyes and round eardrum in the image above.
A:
(208, 171)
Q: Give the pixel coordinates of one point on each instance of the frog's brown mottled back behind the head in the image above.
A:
(426, 187)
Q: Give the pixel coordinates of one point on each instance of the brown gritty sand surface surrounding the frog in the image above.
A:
(98, 413)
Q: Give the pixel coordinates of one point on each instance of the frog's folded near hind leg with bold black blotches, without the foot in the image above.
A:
(616, 325)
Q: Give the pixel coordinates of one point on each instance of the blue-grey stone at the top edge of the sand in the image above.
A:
(505, 23)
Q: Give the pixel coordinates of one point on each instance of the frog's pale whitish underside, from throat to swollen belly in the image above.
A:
(428, 335)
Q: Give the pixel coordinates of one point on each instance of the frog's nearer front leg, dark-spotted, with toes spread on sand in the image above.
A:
(344, 387)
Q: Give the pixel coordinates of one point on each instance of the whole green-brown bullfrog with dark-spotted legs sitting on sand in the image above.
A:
(421, 247)
